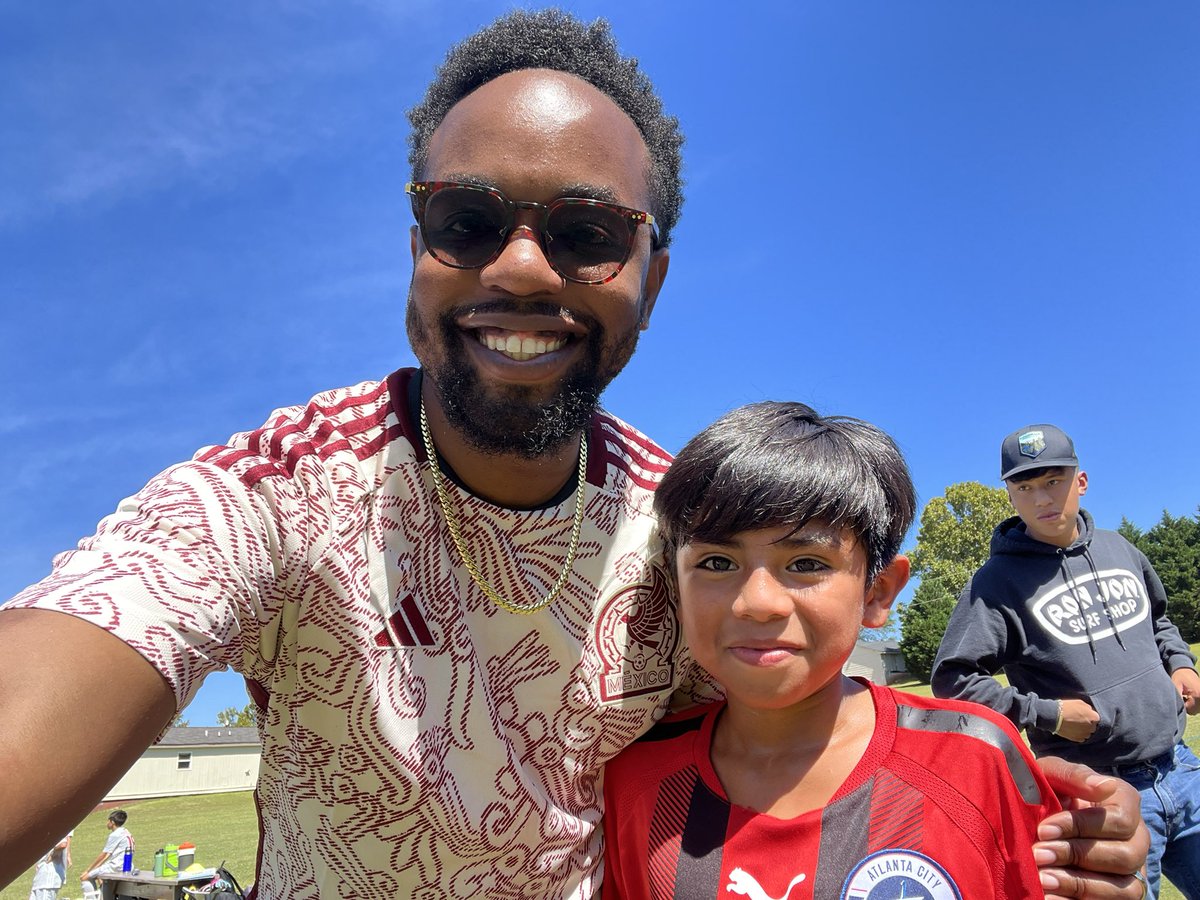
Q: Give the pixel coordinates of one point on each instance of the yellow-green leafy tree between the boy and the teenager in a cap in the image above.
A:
(952, 543)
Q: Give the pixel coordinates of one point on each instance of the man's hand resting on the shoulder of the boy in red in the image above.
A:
(1094, 847)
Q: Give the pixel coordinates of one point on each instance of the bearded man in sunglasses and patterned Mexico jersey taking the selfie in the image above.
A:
(443, 589)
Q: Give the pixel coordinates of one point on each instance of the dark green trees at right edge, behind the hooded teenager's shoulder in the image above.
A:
(1173, 548)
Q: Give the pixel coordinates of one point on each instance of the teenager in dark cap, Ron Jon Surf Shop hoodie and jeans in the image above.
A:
(1077, 620)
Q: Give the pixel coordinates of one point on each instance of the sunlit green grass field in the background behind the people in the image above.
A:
(225, 827)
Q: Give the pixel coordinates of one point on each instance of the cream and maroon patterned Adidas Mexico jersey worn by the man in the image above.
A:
(418, 741)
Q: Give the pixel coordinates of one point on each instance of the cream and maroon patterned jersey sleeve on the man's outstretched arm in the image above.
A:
(189, 573)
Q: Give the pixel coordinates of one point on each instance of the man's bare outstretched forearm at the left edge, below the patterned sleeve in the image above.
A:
(75, 692)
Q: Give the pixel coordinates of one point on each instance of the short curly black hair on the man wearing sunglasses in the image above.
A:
(553, 39)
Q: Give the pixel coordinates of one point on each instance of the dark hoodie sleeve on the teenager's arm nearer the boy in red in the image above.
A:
(977, 646)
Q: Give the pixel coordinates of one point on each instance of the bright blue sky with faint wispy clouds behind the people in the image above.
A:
(950, 218)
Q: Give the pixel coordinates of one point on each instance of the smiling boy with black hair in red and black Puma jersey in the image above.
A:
(784, 527)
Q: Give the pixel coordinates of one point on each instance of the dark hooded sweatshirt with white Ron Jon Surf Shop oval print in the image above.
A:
(1087, 622)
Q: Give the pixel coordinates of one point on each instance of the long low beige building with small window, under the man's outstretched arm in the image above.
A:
(207, 760)
